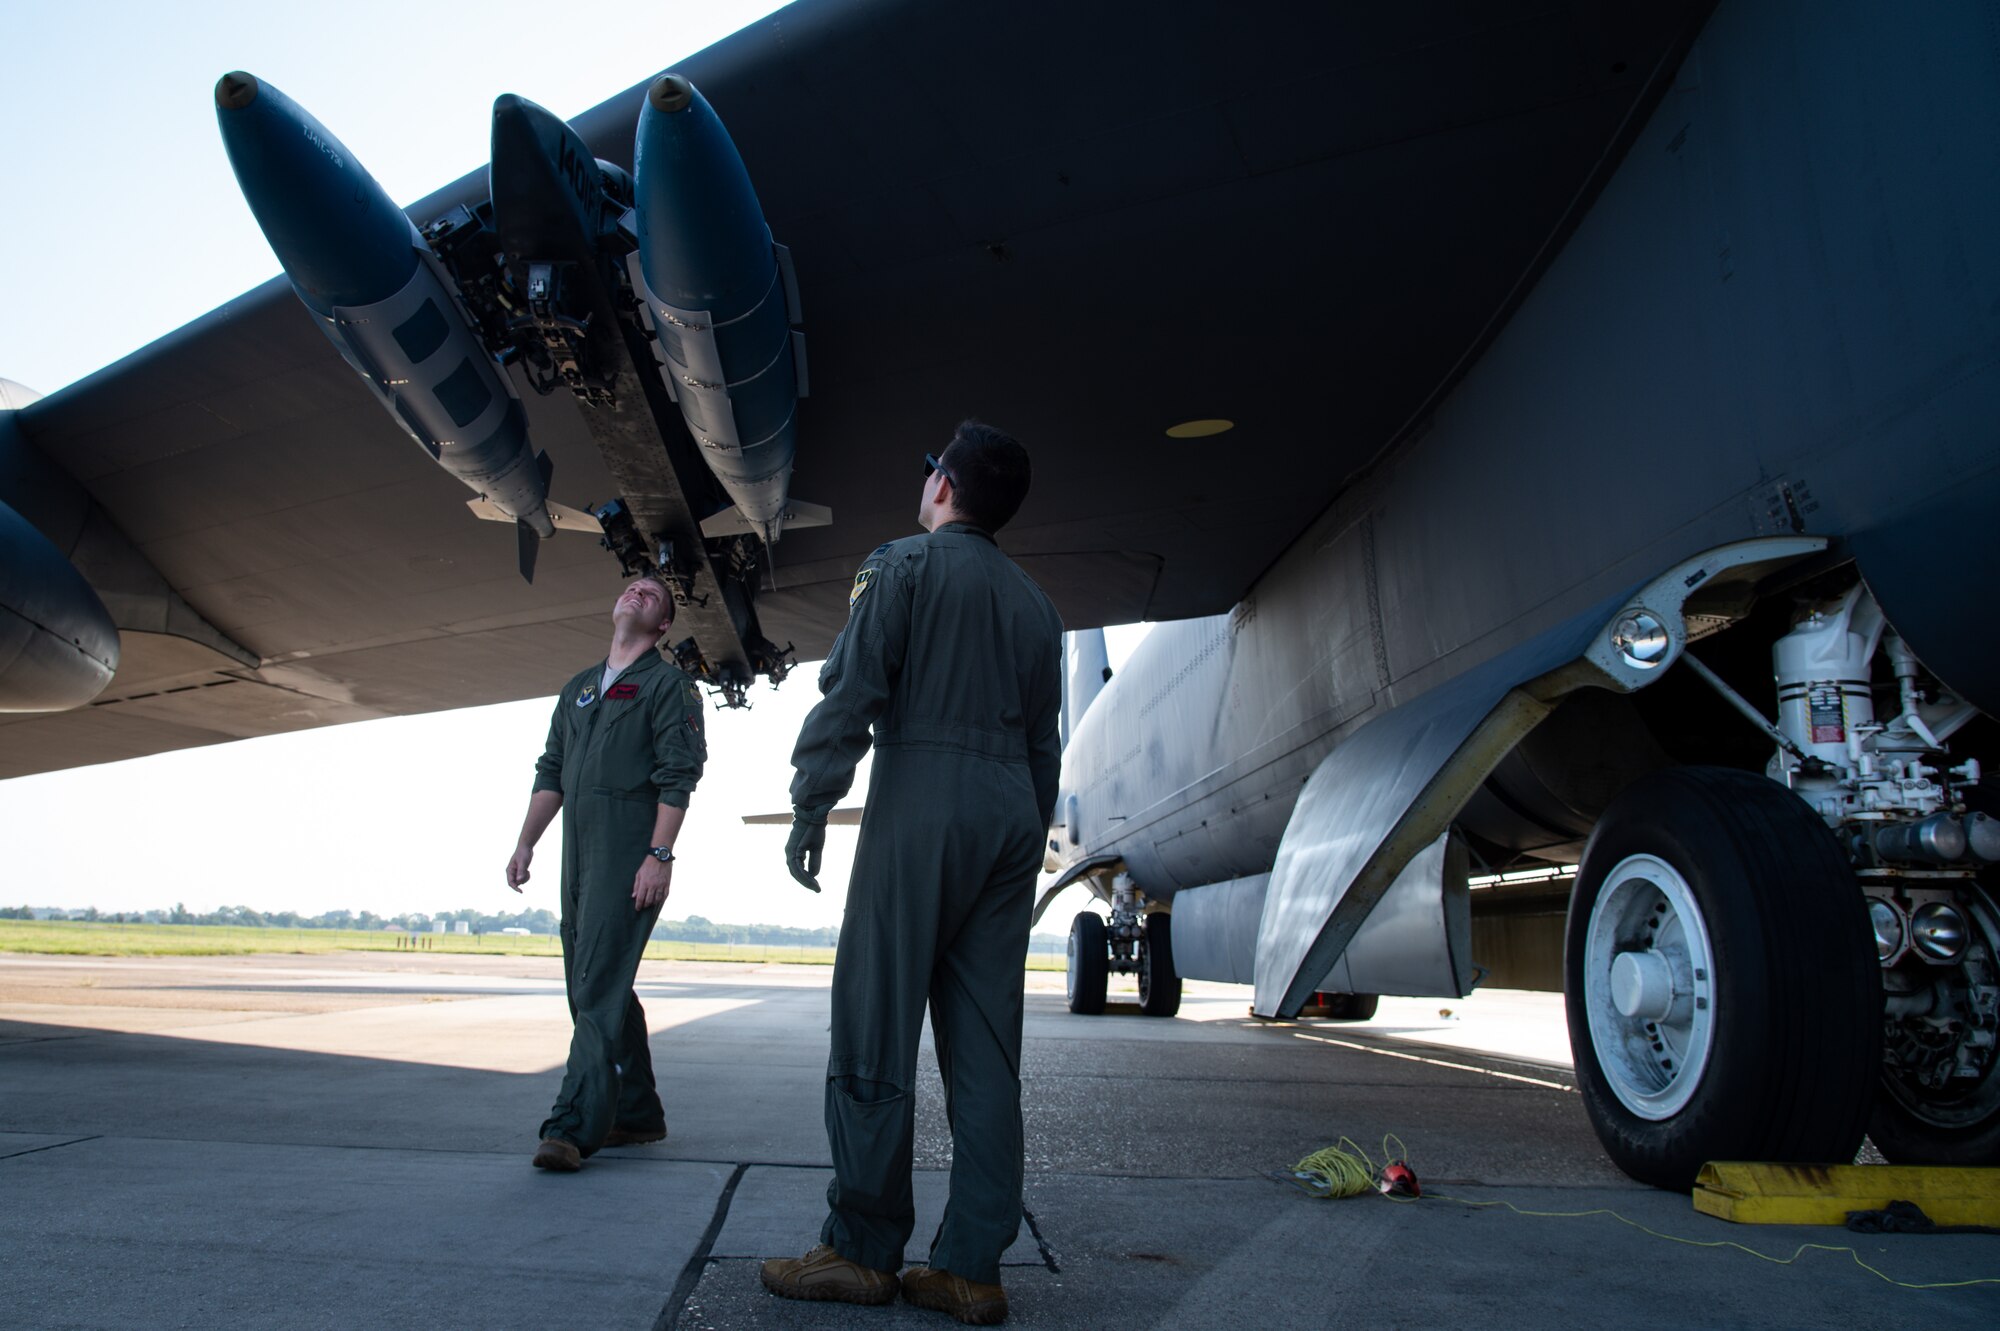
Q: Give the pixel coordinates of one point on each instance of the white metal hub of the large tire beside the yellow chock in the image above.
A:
(1649, 986)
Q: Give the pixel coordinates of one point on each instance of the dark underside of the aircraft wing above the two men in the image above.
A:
(1085, 225)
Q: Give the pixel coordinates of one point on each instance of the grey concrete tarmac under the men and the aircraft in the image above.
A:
(343, 1142)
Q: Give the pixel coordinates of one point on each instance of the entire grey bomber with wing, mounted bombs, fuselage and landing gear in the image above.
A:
(1555, 447)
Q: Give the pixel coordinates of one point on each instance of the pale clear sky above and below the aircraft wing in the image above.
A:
(121, 223)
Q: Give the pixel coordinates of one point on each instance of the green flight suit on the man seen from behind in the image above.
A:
(955, 659)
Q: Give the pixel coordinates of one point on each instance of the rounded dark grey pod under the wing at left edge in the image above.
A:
(59, 647)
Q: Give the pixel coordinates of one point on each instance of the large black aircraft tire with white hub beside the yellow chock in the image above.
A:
(1743, 944)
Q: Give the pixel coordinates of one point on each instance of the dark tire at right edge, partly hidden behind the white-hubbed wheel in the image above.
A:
(1917, 1128)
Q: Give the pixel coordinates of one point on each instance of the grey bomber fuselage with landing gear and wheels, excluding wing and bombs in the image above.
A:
(1655, 666)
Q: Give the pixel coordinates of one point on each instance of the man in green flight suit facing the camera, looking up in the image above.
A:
(625, 752)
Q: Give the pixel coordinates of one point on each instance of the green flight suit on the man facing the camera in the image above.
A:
(615, 754)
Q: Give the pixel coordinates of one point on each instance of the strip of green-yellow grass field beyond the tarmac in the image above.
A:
(127, 940)
